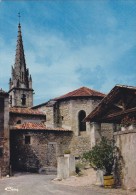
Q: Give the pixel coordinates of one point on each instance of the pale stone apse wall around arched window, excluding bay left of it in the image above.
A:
(68, 118)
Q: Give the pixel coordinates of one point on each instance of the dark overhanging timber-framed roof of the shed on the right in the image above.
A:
(113, 106)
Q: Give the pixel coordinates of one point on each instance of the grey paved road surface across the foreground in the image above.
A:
(35, 184)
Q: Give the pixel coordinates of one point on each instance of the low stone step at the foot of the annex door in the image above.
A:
(48, 170)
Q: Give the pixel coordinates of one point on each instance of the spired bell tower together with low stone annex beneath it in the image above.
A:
(32, 143)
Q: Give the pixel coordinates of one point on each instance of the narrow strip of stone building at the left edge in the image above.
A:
(4, 134)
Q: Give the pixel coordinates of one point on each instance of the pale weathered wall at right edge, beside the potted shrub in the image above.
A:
(126, 141)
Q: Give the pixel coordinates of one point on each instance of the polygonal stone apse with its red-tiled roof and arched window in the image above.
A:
(68, 111)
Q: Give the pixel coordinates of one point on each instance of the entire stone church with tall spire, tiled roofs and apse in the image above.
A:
(32, 137)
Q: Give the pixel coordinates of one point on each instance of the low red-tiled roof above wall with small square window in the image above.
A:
(35, 126)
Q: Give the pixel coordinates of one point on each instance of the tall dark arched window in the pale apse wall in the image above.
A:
(81, 116)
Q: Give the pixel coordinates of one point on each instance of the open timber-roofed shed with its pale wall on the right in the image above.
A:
(119, 107)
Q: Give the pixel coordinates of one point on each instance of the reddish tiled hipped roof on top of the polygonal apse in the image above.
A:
(81, 92)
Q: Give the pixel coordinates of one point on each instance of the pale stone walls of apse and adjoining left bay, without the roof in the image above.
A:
(64, 113)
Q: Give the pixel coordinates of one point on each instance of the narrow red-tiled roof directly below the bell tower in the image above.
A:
(25, 111)
